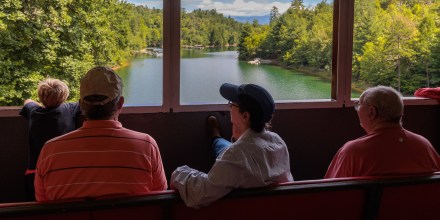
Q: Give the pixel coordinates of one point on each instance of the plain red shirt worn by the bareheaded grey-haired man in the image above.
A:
(387, 151)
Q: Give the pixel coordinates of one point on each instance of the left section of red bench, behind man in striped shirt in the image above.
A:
(133, 207)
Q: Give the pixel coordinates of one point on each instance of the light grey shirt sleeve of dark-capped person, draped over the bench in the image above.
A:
(200, 189)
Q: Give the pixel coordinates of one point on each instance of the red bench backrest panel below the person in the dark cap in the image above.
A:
(344, 204)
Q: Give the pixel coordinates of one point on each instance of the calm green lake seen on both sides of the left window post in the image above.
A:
(202, 73)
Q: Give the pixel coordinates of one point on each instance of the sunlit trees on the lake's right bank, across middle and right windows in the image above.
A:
(396, 43)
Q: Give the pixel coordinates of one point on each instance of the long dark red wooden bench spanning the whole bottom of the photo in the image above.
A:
(404, 197)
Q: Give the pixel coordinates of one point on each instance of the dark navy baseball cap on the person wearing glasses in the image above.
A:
(241, 94)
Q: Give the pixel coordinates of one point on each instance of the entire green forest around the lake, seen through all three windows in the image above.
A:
(396, 43)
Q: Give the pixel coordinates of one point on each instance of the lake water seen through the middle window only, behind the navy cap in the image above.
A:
(202, 77)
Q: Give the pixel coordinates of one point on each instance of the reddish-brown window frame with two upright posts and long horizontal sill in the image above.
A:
(343, 19)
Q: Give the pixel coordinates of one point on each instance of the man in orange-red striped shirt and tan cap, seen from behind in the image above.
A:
(101, 158)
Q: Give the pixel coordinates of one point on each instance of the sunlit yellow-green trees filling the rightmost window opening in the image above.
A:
(400, 50)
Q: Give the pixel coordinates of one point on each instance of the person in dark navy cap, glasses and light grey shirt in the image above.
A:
(256, 157)
